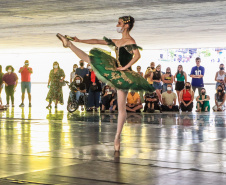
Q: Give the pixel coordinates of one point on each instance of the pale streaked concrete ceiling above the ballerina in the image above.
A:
(159, 23)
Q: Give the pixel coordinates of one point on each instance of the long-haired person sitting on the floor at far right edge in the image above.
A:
(219, 99)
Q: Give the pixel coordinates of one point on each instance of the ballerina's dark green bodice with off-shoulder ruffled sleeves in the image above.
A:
(124, 54)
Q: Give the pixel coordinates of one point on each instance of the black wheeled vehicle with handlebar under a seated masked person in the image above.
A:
(73, 104)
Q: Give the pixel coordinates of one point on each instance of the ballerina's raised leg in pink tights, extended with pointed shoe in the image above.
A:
(81, 54)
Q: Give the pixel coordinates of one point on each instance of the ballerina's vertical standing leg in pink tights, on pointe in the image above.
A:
(121, 98)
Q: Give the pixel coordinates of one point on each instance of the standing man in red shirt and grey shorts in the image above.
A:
(26, 81)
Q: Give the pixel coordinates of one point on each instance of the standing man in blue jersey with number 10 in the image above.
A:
(197, 74)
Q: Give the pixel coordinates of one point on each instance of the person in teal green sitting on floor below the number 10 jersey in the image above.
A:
(203, 101)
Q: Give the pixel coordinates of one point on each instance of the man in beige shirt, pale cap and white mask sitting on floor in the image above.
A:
(169, 99)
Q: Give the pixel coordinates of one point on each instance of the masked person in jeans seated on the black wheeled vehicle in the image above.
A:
(78, 89)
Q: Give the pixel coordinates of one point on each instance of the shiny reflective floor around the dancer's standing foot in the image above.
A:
(54, 147)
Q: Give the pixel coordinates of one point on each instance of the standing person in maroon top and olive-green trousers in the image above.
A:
(10, 80)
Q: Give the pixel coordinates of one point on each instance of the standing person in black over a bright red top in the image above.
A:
(94, 92)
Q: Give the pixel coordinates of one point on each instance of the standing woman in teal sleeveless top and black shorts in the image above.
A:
(180, 78)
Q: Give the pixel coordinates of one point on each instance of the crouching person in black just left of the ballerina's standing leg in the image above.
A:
(106, 98)
